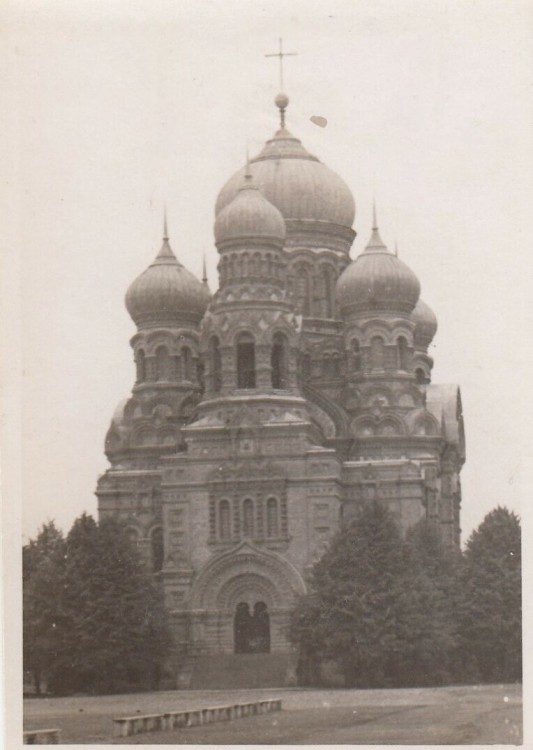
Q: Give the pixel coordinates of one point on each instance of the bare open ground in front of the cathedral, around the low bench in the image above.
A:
(452, 715)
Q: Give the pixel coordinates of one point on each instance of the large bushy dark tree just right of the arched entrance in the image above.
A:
(371, 606)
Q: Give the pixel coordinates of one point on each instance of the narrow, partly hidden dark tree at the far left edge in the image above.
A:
(42, 571)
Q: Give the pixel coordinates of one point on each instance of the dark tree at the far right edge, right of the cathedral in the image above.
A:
(491, 605)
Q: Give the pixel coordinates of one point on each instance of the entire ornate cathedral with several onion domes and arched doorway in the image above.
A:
(263, 414)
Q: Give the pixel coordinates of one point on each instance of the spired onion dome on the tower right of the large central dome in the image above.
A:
(377, 281)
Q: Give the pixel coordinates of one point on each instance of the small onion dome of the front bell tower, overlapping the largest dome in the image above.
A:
(249, 216)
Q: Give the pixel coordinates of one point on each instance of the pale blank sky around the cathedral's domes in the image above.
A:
(114, 109)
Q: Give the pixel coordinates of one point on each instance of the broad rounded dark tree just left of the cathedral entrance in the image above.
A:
(114, 633)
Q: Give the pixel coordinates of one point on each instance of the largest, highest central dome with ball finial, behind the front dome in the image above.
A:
(309, 195)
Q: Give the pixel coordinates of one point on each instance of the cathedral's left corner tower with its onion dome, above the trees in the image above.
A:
(167, 303)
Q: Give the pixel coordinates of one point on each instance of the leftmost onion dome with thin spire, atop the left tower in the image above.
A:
(166, 293)
